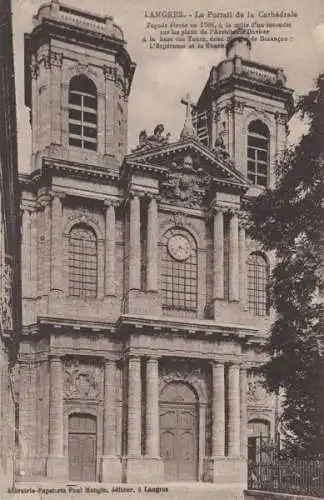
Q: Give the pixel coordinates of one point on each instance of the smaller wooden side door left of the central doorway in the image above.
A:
(82, 447)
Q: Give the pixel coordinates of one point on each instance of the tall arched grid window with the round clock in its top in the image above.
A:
(179, 270)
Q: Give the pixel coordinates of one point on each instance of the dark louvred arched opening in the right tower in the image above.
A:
(258, 153)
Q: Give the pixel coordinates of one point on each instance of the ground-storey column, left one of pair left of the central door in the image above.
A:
(134, 406)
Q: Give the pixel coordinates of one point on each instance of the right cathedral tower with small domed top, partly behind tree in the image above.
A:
(248, 105)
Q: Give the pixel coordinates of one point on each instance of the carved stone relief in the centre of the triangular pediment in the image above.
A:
(186, 183)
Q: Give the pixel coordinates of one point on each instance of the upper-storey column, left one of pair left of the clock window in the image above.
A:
(135, 244)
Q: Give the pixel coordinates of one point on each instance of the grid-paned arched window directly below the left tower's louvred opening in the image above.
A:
(83, 262)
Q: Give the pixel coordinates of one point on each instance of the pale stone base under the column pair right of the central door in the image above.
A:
(226, 470)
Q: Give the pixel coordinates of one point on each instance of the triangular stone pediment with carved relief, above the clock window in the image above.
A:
(188, 170)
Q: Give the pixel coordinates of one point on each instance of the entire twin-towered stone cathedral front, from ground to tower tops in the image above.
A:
(145, 305)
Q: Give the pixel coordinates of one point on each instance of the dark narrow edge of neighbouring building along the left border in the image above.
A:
(10, 304)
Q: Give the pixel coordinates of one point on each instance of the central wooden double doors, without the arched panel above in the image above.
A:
(178, 437)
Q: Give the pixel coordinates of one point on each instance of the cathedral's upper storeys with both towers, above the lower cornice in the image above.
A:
(158, 232)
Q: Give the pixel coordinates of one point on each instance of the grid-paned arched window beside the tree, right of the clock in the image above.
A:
(258, 276)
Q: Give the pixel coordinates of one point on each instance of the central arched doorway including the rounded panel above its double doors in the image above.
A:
(179, 432)
